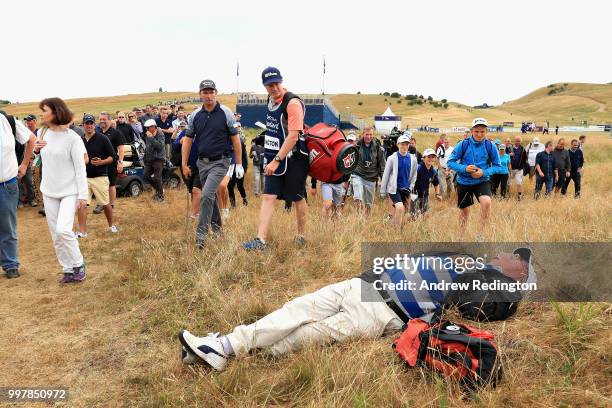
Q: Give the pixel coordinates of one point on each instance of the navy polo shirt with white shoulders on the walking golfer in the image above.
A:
(211, 131)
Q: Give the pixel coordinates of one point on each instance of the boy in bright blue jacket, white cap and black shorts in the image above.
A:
(474, 160)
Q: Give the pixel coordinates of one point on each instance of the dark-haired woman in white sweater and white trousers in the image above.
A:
(64, 183)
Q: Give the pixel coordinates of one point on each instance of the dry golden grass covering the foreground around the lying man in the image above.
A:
(112, 339)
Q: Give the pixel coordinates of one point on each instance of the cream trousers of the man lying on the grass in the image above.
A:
(333, 313)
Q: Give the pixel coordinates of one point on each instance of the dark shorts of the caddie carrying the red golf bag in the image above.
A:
(291, 186)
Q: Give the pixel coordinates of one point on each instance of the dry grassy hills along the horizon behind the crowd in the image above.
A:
(569, 105)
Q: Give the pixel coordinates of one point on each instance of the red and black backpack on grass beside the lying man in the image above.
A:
(453, 350)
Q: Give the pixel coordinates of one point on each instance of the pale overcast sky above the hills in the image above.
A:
(465, 51)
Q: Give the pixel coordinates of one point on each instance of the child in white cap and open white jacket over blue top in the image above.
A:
(399, 178)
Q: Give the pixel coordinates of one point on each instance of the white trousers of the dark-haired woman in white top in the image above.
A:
(60, 217)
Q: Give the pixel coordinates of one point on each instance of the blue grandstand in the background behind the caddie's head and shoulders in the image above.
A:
(254, 107)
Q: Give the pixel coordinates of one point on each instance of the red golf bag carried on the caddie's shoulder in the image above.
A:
(330, 155)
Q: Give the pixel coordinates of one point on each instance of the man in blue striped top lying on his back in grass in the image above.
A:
(376, 303)
